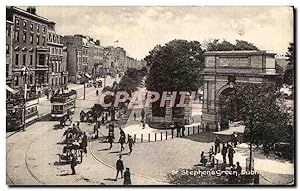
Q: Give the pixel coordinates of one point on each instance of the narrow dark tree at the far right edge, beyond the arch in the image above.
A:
(288, 77)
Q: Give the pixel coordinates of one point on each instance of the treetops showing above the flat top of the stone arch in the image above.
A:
(217, 45)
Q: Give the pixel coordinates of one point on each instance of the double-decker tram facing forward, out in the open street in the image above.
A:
(62, 103)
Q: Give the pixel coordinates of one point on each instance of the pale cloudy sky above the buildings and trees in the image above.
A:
(139, 29)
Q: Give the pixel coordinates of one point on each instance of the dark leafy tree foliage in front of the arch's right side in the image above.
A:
(260, 107)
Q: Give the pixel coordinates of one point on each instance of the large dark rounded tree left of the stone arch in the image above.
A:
(176, 66)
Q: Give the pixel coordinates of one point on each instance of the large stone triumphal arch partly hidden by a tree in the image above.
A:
(223, 69)
